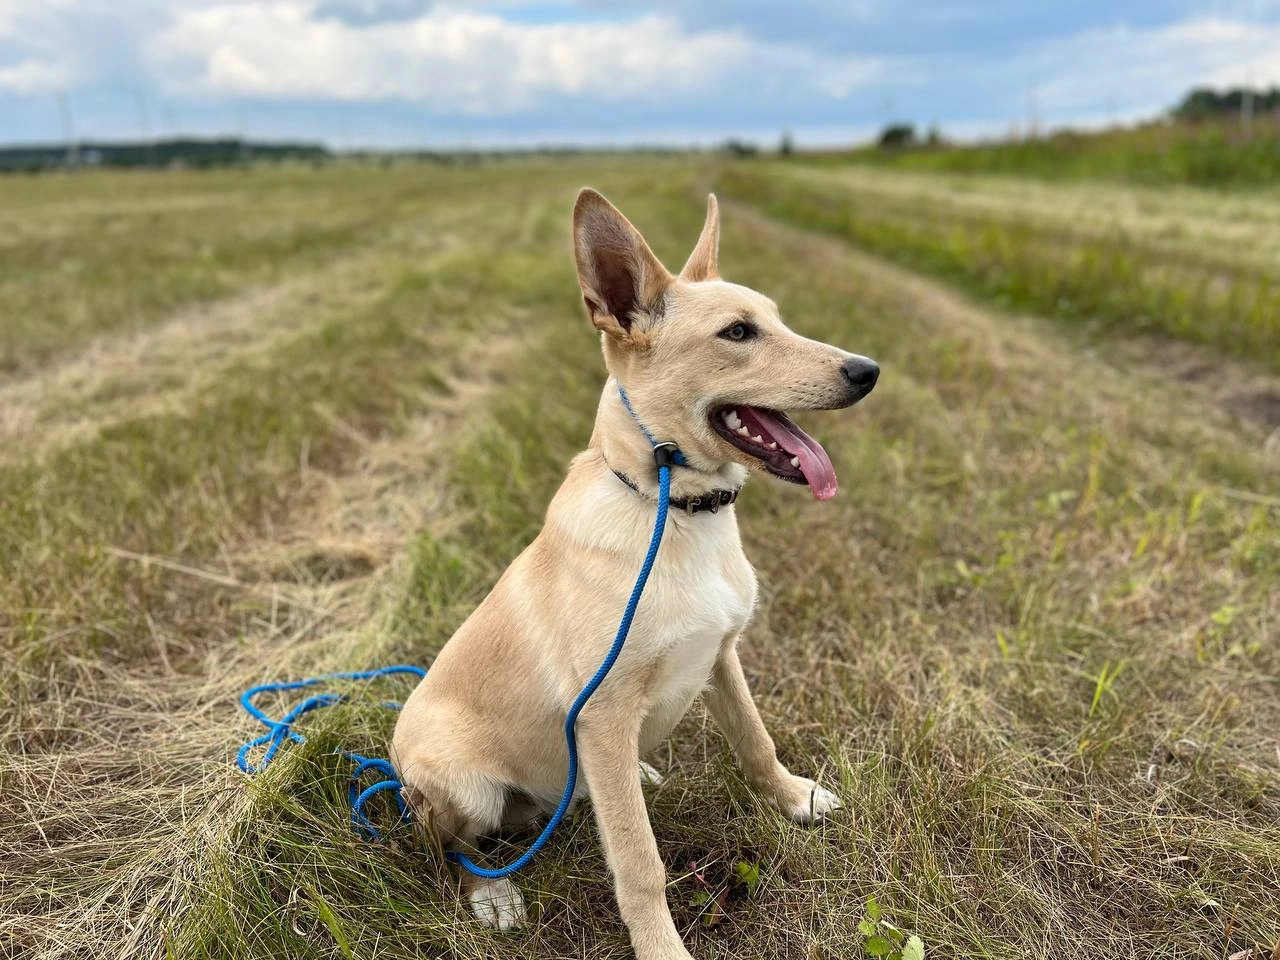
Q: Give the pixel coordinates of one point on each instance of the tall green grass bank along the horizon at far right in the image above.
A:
(1210, 156)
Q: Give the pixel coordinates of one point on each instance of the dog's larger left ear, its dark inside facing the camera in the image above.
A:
(620, 276)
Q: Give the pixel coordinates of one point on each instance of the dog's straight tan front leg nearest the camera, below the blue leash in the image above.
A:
(611, 761)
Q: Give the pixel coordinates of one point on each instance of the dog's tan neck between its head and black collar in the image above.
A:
(625, 450)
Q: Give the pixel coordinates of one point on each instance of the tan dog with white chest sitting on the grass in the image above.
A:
(481, 744)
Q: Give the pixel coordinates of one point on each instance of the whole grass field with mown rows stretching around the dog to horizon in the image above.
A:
(267, 424)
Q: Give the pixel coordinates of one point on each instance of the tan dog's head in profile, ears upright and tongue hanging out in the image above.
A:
(710, 364)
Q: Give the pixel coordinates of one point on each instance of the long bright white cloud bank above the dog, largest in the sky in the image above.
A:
(469, 62)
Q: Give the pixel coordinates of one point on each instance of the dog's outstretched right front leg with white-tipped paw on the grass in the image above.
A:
(730, 702)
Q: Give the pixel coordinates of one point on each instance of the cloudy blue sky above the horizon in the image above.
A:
(415, 74)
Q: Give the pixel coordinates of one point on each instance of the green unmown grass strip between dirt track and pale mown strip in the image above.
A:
(1104, 277)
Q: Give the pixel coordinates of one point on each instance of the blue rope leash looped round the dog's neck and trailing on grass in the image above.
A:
(282, 730)
